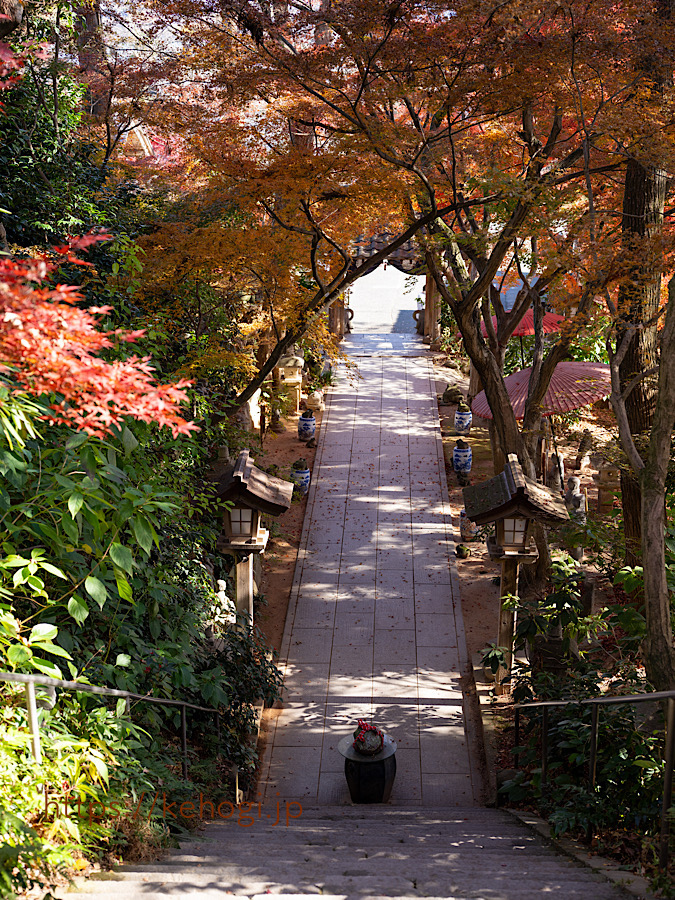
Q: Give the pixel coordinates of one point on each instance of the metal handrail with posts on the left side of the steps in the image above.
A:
(29, 681)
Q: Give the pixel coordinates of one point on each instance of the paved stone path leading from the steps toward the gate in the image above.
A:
(374, 628)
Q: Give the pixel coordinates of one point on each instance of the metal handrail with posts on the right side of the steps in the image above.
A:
(595, 703)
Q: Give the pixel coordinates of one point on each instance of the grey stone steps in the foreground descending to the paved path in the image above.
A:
(361, 853)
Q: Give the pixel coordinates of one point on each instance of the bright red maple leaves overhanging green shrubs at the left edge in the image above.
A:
(48, 345)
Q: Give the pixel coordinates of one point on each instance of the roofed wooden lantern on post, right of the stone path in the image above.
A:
(512, 501)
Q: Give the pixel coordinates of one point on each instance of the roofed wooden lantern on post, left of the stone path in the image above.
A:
(248, 492)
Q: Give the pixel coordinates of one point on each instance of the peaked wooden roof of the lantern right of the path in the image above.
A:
(512, 493)
